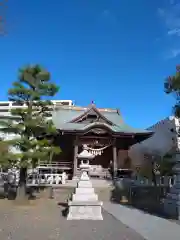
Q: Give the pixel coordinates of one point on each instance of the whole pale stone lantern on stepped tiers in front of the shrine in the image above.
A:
(84, 203)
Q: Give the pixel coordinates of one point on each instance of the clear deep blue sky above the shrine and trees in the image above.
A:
(115, 52)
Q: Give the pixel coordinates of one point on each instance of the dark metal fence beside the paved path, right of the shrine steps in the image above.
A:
(142, 193)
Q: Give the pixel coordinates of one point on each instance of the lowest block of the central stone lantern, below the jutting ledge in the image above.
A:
(85, 212)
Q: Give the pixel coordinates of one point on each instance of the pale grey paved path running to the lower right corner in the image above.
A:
(149, 226)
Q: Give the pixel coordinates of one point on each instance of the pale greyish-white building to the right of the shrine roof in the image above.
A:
(164, 139)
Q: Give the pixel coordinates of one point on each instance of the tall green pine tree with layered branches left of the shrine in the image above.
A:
(31, 124)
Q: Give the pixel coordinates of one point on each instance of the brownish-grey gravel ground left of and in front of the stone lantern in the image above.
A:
(42, 219)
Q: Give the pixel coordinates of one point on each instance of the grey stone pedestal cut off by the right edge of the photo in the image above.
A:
(172, 200)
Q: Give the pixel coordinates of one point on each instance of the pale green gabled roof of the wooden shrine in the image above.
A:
(63, 120)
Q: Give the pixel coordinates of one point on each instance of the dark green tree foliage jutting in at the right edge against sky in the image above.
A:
(172, 86)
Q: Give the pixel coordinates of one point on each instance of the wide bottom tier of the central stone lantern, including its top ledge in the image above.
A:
(85, 211)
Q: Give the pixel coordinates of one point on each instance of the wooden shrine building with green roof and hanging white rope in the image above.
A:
(101, 130)
